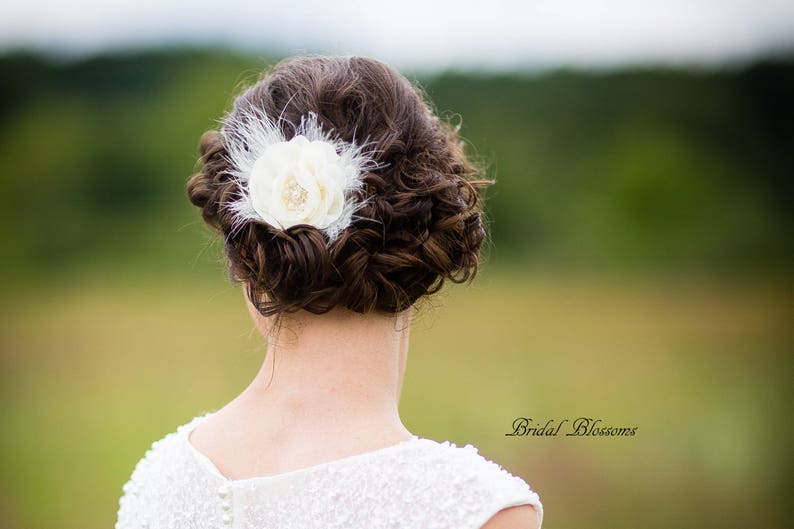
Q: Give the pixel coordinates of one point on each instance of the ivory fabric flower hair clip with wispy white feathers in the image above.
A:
(314, 178)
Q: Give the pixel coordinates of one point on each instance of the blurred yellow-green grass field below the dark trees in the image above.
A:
(92, 373)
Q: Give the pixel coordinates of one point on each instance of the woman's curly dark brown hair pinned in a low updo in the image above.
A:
(422, 221)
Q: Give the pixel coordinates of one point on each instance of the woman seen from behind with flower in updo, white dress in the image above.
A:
(343, 200)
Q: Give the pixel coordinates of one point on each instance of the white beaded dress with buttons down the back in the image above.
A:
(417, 483)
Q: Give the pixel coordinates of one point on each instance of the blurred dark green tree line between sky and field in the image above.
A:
(642, 169)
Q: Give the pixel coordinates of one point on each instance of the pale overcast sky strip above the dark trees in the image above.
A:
(418, 34)
